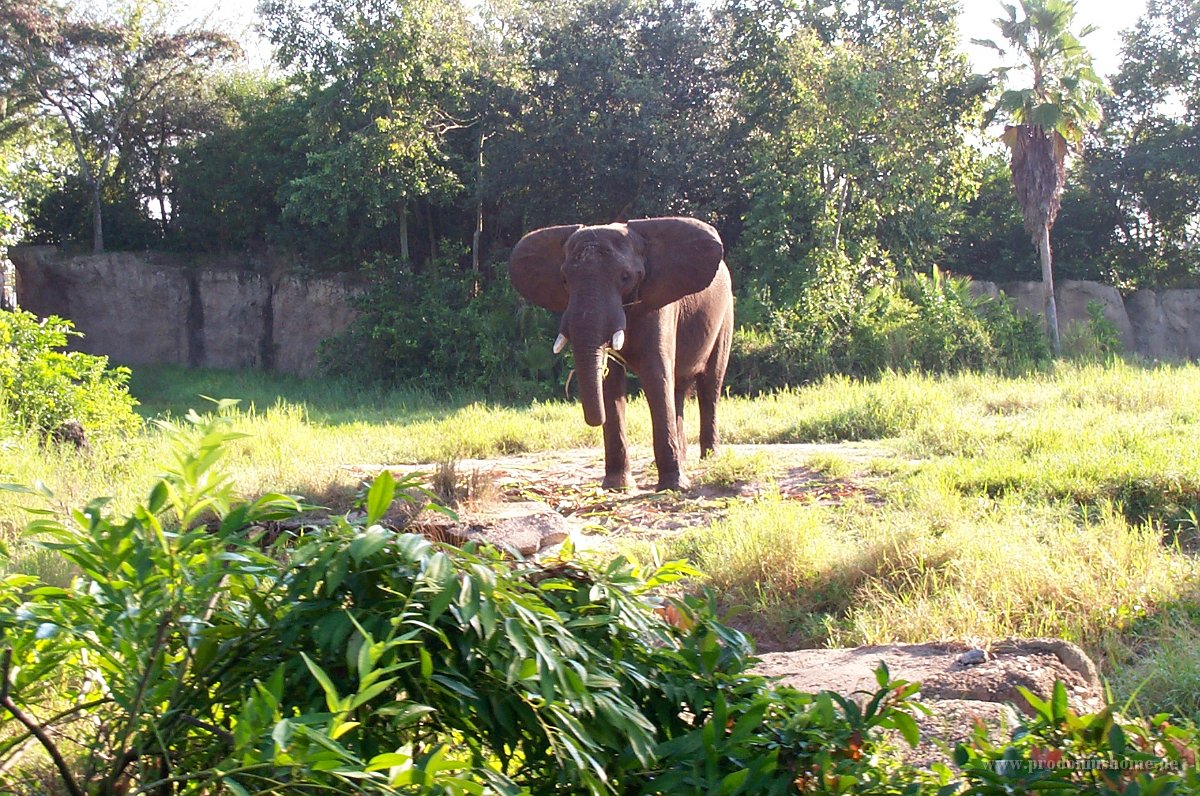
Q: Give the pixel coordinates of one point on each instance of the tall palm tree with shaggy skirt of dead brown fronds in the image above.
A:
(1049, 117)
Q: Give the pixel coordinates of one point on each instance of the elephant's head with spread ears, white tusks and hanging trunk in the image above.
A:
(593, 276)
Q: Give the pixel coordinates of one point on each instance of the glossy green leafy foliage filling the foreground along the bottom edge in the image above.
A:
(190, 655)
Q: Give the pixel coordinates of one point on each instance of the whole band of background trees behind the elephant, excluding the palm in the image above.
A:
(832, 145)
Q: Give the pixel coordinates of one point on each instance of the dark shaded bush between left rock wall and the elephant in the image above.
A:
(447, 331)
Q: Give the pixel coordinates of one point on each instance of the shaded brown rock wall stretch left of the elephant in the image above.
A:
(143, 309)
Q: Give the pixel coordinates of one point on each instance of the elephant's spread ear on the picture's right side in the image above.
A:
(682, 258)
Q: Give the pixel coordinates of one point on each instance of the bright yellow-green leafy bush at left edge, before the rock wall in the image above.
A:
(43, 387)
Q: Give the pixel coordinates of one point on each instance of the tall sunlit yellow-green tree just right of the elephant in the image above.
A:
(856, 117)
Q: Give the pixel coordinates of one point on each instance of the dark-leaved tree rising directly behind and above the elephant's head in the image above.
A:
(623, 113)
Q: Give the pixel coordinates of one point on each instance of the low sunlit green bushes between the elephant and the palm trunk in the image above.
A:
(922, 322)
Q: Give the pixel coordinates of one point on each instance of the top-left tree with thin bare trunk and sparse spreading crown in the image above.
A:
(95, 74)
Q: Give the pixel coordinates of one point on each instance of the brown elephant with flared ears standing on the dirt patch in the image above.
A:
(658, 294)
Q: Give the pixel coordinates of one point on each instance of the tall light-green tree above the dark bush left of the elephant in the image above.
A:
(383, 82)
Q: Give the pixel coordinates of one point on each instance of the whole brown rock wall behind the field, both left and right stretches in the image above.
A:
(145, 309)
